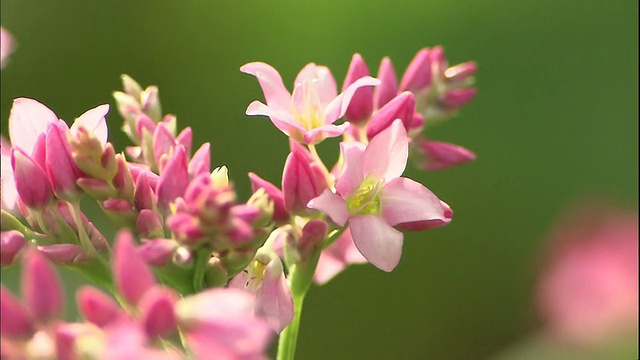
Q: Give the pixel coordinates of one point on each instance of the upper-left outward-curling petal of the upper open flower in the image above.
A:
(275, 93)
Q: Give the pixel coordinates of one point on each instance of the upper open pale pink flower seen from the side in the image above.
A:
(308, 115)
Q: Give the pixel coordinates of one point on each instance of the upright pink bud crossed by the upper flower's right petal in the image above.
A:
(361, 105)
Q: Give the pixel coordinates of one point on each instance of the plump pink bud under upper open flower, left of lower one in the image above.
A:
(301, 180)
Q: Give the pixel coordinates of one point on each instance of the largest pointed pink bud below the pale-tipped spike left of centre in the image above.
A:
(174, 179)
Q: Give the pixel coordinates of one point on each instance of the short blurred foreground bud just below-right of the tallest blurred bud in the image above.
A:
(158, 317)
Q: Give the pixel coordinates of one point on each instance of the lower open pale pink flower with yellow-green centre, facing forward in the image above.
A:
(373, 198)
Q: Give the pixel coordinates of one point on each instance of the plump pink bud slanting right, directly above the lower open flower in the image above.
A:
(401, 107)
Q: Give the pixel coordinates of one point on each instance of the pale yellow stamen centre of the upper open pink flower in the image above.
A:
(307, 108)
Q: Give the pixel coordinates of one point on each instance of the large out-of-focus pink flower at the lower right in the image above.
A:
(588, 291)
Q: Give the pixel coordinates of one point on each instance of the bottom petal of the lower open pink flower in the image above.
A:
(377, 241)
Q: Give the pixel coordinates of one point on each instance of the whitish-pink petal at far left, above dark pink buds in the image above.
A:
(27, 120)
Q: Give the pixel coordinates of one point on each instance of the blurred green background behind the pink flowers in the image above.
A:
(555, 121)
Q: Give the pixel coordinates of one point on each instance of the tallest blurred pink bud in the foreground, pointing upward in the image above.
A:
(126, 262)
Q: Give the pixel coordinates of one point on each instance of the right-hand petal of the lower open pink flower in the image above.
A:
(403, 200)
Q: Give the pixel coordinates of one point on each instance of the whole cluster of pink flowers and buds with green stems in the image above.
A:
(233, 273)
